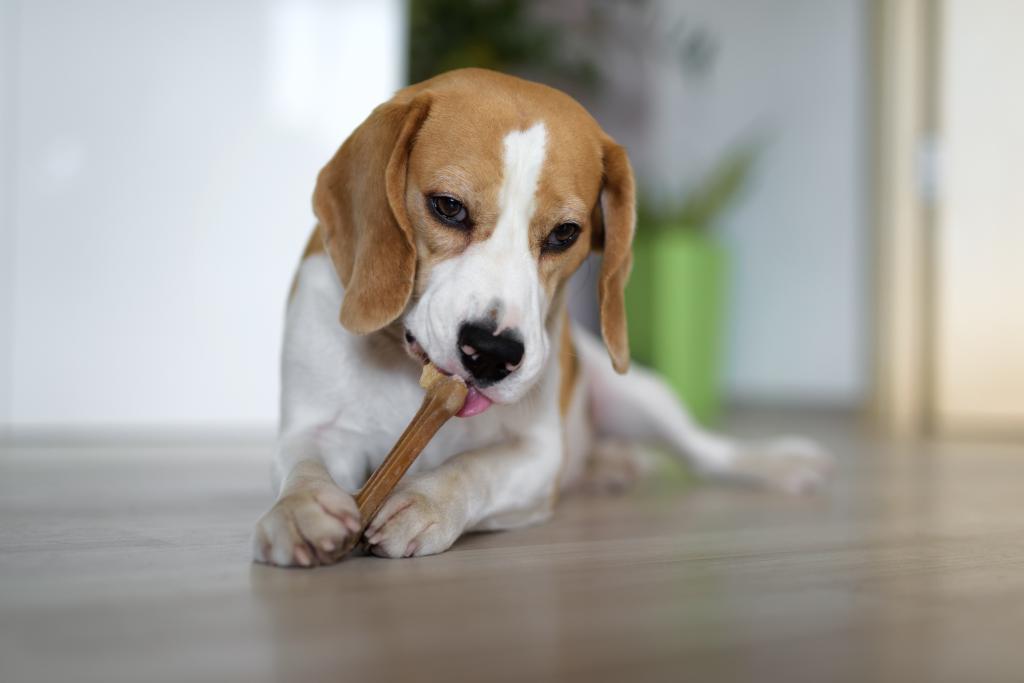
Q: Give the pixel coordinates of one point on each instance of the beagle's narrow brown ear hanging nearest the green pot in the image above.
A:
(618, 210)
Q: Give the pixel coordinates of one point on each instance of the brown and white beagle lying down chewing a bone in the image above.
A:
(449, 225)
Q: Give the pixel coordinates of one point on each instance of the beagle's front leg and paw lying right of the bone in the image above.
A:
(502, 487)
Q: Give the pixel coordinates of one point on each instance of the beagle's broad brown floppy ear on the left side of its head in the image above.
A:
(360, 202)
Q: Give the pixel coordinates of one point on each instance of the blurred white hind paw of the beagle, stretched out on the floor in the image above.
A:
(791, 464)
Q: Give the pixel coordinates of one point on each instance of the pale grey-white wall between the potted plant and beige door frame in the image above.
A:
(794, 73)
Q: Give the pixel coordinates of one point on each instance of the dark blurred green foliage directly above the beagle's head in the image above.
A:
(503, 35)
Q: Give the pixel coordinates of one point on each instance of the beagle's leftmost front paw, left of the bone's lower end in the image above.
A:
(307, 528)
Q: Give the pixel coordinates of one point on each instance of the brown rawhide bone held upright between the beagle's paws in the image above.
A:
(446, 397)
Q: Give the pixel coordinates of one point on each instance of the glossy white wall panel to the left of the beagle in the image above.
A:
(163, 159)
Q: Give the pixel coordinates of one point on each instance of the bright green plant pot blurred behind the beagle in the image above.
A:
(676, 308)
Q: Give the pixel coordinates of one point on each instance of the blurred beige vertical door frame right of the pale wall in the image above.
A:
(905, 36)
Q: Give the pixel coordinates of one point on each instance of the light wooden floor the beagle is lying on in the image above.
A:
(132, 564)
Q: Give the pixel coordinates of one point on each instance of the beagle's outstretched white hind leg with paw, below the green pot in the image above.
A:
(641, 407)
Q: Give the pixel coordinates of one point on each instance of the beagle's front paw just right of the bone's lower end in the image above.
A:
(412, 524)
